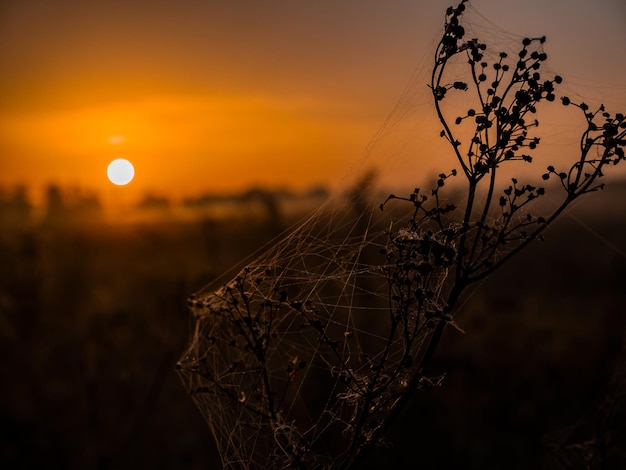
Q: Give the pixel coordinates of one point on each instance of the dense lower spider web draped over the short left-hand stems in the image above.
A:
(280, 354)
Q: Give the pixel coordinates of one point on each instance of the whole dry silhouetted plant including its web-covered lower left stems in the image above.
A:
(309, 355)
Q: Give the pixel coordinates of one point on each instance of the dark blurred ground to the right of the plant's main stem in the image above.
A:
(539, 378)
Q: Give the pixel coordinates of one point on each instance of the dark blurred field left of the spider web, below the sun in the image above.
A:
(93, 318)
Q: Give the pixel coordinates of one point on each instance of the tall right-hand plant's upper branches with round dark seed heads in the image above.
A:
(493, 230)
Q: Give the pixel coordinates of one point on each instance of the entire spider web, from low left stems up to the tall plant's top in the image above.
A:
(283, 356)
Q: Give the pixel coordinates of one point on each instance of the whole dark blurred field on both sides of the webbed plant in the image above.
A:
(93, 319)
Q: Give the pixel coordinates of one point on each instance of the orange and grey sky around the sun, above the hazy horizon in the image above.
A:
(207, 96)
